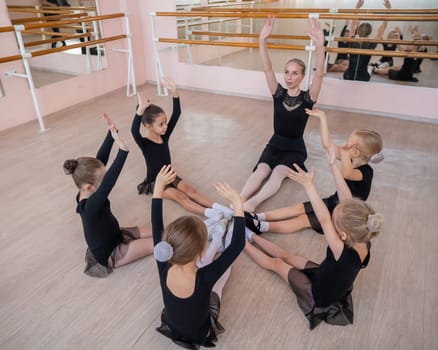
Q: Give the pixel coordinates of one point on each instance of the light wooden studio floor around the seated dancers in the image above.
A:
(46, 302)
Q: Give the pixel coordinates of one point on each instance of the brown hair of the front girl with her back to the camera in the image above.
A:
(188, 237)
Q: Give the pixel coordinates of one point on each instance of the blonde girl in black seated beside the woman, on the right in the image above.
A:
(363, 146)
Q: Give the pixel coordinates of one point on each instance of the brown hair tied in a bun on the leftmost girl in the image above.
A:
(83, 170)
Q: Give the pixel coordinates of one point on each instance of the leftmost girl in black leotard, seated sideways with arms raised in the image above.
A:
(109, 245)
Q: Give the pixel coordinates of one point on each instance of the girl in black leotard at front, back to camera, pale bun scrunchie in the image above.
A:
(191, 294)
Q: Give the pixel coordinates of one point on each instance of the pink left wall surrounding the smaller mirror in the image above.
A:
(16, 107)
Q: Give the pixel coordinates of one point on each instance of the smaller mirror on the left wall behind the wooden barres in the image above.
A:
(64, 64)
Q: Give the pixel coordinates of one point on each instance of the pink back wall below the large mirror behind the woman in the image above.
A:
(391, 100)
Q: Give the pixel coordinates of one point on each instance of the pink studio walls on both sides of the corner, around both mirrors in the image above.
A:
(17, 107)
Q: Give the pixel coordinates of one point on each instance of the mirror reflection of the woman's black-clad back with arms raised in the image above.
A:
(358, 64)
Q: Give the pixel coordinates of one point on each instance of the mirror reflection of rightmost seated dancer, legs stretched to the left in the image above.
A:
(410, 65)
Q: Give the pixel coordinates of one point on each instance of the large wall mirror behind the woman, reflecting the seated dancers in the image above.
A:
(398, 36)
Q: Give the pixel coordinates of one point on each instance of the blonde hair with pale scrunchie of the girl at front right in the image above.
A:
(357, 220)
